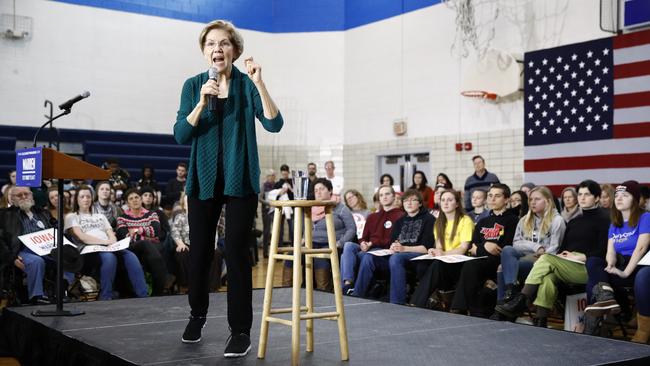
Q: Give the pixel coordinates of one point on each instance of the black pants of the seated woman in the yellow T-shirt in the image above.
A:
(438, 276)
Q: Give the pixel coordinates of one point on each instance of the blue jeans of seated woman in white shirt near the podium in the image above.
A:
(109, 267)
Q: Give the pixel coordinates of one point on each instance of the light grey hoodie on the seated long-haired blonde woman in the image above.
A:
(530, 244)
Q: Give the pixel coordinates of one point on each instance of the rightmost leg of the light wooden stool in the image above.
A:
(336, 278)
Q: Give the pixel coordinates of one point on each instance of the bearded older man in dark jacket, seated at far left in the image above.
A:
(20, 219)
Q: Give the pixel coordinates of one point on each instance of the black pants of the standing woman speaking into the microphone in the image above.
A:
(203, 216)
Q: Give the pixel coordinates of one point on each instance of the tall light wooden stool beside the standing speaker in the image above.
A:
(298, 250)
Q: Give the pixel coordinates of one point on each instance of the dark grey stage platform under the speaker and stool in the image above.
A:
(148, 331)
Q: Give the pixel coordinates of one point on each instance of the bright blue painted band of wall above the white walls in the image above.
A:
(272, 16)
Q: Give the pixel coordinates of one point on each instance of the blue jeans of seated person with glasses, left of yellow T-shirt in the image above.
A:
(394, 264)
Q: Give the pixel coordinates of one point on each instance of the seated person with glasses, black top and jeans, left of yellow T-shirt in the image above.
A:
(412, 236)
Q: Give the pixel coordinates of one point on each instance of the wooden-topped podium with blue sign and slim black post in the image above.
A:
(33, 165)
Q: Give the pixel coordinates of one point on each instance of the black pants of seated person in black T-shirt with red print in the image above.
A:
(471, 281)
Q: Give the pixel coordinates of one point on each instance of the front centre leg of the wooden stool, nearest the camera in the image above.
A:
(297, 279)
